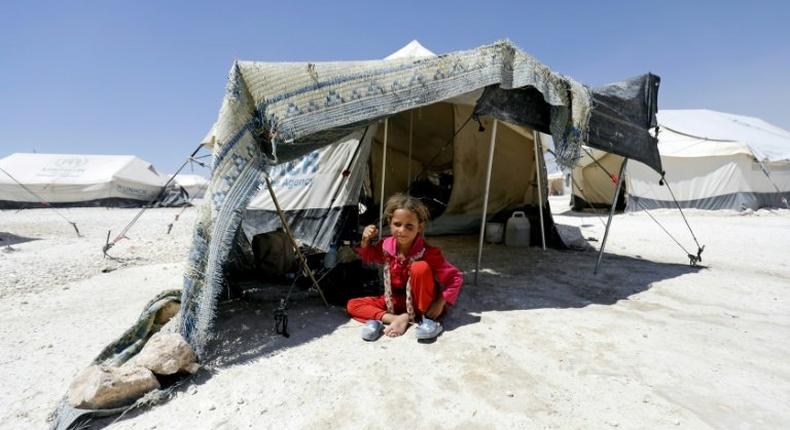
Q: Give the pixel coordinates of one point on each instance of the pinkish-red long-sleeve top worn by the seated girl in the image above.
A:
(449, 277)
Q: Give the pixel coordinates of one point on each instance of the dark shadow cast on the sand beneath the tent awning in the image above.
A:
(510, 279)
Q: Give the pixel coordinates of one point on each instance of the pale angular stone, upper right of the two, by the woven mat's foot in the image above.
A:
(166, 354)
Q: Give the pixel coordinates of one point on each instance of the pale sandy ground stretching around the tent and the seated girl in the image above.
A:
(541, 342)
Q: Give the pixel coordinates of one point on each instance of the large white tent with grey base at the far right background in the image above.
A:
(714, 160)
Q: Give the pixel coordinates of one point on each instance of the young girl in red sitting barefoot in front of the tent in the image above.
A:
(410, 267)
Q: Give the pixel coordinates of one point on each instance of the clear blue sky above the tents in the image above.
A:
(147, 77)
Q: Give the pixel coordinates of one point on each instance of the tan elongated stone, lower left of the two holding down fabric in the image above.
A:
(104, 387)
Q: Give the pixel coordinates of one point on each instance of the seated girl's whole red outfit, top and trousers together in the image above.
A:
(423, 264)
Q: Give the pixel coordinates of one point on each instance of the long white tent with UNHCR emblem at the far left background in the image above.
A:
(77, 180)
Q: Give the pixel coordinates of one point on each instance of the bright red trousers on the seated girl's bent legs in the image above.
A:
(423, 293)
